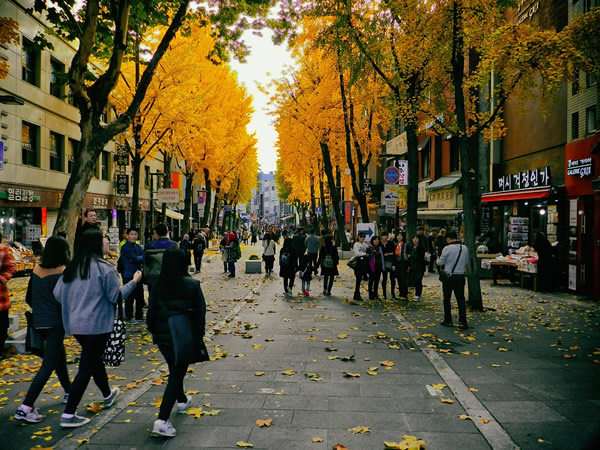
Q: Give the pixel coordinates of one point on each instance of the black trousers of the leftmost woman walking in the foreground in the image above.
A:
(54, 360)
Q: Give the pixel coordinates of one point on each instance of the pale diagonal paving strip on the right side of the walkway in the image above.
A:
(492, 431)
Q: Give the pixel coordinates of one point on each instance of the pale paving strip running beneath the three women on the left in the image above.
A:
(87, 431)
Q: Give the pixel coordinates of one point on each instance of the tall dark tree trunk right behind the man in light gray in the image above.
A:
(469, 177)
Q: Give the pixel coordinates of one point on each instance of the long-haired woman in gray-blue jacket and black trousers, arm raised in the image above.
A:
(88, 291)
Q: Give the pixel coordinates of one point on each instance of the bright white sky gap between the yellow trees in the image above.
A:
(266, 61)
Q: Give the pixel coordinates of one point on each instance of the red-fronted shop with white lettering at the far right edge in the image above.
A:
(582, 182)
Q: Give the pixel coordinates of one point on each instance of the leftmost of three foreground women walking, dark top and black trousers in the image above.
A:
(47, 320)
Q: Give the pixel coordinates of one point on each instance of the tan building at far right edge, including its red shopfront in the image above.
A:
(582, 176)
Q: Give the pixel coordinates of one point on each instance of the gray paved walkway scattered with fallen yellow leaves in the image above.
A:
(522, 376)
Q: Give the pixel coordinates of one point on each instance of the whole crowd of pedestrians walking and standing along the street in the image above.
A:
(81, 295)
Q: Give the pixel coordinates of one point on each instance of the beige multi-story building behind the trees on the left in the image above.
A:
(40, 138)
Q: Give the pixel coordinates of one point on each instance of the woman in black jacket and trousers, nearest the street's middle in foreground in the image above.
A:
(175, 292)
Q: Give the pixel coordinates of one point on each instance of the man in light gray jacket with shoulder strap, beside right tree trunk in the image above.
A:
(453, 261)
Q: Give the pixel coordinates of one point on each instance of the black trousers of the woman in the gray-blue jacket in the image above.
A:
(90, 366)
